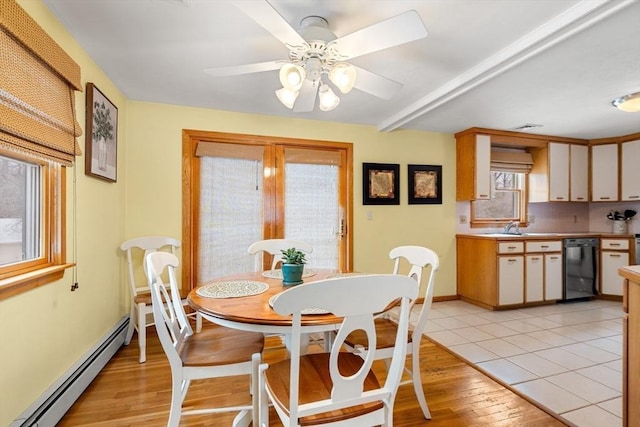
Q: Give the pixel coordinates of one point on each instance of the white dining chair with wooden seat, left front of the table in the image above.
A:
(214, 352)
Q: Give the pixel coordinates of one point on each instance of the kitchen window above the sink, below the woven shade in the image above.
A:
(507, 201)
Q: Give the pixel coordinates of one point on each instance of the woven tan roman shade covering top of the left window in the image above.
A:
(38, 81)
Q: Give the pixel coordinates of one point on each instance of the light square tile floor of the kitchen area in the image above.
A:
(567, 357)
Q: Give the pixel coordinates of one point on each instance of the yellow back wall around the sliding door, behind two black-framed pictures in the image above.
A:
(154, 161)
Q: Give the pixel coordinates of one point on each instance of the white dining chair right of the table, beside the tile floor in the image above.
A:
(418, 258)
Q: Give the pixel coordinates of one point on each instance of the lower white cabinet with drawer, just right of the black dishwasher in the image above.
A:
(614, 253)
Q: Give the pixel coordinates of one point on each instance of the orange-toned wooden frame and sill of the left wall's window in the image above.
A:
(49, 267)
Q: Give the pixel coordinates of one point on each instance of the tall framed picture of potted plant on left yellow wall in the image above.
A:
(101, 139)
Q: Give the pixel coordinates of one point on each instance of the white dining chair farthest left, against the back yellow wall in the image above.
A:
(140, 314)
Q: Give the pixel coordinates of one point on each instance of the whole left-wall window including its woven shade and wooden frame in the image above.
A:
(38, 134)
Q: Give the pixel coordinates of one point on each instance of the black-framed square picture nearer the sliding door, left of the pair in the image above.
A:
(380, 184)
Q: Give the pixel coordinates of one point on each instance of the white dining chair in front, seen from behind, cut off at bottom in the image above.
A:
(338, 388)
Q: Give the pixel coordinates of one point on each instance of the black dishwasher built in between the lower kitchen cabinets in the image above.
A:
(580, 268)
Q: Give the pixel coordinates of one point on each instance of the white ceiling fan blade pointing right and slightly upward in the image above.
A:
(394, 31)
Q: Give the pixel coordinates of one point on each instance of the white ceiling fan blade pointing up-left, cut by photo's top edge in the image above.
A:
(268, 18)
